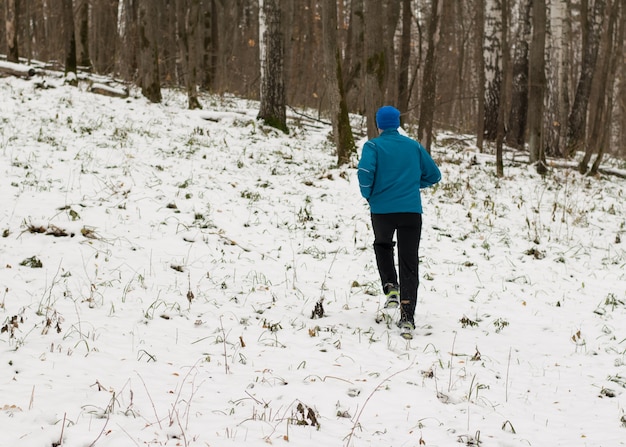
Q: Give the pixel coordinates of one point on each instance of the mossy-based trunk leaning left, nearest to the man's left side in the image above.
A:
(342, 132)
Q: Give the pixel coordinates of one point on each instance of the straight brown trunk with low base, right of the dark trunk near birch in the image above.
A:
(536, 93)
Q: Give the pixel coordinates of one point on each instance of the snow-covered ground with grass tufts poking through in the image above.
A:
(177, 308)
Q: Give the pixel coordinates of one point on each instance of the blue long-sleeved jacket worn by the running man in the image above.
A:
(392, 169)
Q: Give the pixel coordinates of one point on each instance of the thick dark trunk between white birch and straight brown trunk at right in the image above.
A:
(516, 132)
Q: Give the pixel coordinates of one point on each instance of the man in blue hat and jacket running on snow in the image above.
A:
(391, 172)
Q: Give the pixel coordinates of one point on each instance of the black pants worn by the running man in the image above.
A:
(408, 230)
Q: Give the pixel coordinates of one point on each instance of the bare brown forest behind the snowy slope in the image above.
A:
(543, 76)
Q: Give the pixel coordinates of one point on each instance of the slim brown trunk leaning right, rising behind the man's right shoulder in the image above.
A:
(429, 83)
